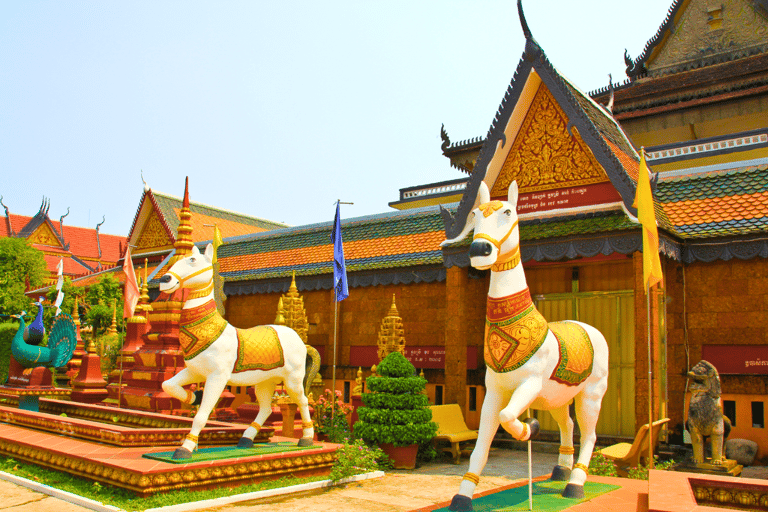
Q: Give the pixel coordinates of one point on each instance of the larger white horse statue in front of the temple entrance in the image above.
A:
(531, 364)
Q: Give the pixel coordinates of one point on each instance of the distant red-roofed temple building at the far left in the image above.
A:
(83, 250)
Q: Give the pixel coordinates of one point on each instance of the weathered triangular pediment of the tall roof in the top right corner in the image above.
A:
(705, 30)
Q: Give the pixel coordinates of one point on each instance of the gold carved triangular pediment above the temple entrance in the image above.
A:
(544, 155)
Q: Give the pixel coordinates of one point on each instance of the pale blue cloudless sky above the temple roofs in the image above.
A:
(273, 109)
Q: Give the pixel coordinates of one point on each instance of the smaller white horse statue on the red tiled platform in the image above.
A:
(219, 354)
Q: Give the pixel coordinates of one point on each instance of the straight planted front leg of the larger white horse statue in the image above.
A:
(489, 424)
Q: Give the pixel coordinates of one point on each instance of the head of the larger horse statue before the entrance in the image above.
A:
(496, 240)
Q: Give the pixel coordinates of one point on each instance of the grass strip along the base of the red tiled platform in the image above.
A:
(127, 500)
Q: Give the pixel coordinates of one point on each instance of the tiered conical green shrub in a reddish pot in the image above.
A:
(396, 416)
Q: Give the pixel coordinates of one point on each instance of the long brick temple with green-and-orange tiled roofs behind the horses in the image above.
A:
(696, 100)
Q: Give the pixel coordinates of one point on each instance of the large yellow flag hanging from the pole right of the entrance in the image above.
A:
(647, 217)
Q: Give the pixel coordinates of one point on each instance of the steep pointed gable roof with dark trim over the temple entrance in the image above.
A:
(603, 145)
